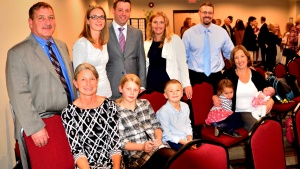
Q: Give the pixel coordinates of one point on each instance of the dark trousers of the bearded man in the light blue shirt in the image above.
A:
(199, 77)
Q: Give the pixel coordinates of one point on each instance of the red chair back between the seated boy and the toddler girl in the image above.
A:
(201, 102)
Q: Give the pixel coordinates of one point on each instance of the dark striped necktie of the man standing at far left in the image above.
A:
(58, 70)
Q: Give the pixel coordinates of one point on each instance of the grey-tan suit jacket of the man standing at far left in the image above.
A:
(33, 84)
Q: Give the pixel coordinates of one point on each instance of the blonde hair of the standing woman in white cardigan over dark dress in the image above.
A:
(167, 32)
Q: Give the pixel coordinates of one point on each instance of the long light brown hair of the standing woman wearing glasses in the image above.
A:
(86, 32)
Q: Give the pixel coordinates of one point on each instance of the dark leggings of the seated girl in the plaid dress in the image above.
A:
(159, 159)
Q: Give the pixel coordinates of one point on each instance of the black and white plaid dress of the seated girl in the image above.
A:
(132, 127)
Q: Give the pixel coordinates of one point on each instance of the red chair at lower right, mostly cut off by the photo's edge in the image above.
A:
(296, 129)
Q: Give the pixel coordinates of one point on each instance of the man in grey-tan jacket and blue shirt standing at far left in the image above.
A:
(33, 84)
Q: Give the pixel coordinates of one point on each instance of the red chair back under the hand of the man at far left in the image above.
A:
(57, 152)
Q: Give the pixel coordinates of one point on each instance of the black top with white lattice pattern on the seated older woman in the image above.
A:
(93, 133)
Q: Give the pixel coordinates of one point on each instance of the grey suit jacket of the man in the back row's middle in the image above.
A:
(131, 61)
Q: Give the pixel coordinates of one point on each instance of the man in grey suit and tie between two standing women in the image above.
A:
(129, 59)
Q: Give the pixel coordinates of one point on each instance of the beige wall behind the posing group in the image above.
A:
(69, 18)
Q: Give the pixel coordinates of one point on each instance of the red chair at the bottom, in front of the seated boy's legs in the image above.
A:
(208, 155)
